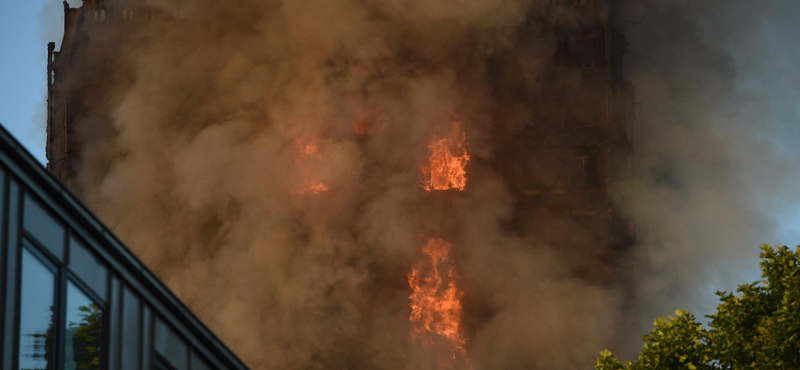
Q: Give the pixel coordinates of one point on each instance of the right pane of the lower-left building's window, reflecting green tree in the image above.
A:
(83, 331)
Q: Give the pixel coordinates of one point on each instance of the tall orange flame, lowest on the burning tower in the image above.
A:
(436, 300)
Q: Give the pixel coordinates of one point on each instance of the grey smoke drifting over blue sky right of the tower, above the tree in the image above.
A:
(717, 127)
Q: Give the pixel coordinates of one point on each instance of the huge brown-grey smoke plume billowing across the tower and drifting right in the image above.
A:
(265, 161)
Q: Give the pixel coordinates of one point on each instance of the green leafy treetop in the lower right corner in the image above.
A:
(755, 328)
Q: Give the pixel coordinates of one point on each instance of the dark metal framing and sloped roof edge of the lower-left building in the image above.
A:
(23, 174)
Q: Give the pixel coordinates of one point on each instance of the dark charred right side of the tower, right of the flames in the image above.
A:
(574, 166)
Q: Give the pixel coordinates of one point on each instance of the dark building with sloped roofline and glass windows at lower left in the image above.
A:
(73, 297)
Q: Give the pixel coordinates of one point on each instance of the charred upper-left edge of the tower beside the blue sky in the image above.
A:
(79, 79)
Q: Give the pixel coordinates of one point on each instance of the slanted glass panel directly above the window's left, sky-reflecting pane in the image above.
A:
(43, 226)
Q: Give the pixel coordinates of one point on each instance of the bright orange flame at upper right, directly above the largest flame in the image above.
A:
(446, 167)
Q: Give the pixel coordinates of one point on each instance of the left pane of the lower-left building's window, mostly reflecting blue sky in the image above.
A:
(36, 314)
